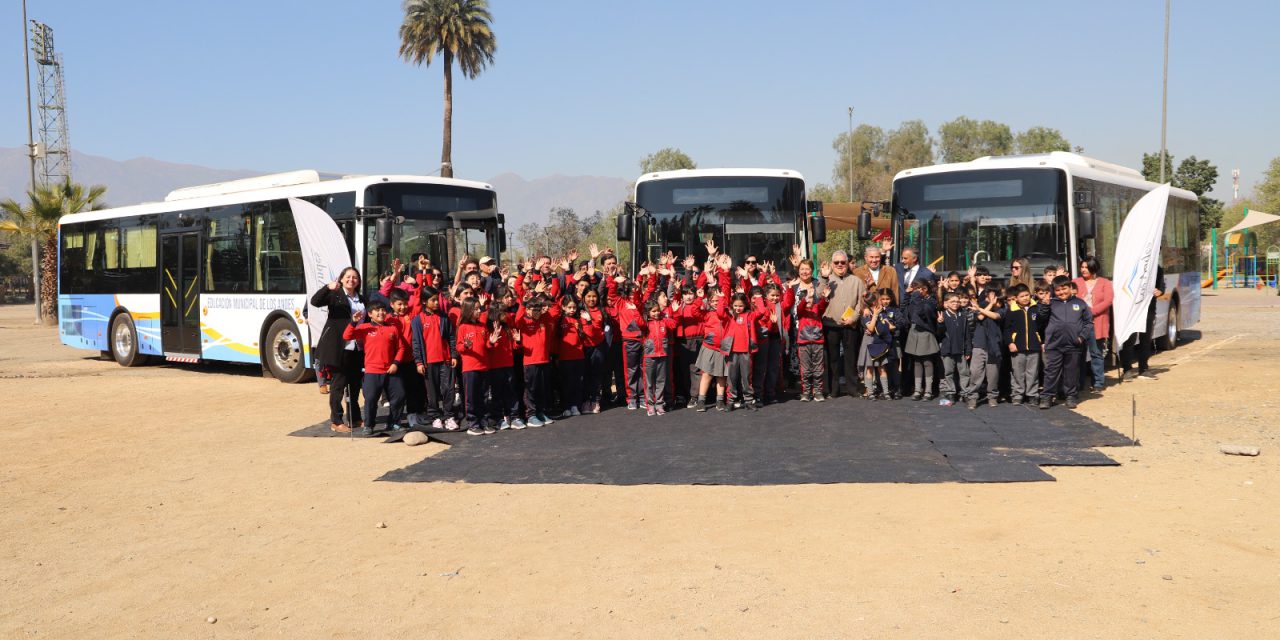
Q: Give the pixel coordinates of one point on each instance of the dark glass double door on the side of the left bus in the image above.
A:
(180, 294)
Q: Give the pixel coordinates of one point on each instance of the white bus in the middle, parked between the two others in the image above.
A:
(746, 212)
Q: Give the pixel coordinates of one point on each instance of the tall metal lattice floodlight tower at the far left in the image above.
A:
(54, 154)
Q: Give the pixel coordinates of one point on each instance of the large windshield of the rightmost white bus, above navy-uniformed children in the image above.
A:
(984, 217)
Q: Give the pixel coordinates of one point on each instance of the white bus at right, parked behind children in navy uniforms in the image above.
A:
(1052, 209)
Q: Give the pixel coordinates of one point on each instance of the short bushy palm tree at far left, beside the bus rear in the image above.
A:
(39, 222)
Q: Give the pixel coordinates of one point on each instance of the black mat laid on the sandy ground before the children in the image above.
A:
(842, 441)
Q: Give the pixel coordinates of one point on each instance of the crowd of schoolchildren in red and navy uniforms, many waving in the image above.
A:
(501, 350)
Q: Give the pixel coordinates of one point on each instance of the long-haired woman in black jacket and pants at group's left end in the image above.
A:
(342, 358)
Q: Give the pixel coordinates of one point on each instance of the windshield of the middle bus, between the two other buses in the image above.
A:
(744, 216)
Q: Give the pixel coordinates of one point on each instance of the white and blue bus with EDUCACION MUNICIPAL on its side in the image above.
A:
(217, 273)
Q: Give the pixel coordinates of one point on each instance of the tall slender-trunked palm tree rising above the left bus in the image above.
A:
(459, 30)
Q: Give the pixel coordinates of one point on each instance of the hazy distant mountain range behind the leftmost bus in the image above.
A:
(145, 180)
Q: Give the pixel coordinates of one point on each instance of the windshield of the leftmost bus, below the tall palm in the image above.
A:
(429, 212)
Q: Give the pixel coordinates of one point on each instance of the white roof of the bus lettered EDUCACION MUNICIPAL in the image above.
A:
(268, 188)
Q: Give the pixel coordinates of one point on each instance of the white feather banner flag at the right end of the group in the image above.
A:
(1136, 262)
